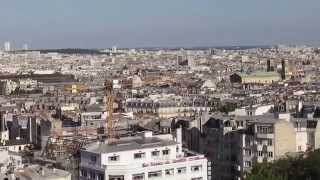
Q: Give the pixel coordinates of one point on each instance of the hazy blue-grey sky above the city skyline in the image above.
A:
(142, 23)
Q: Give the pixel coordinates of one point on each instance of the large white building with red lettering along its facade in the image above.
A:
(142, 158)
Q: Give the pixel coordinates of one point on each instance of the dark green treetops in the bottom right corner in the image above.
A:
(303, 167)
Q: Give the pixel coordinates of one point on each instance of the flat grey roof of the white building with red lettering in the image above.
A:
(127, 145)
